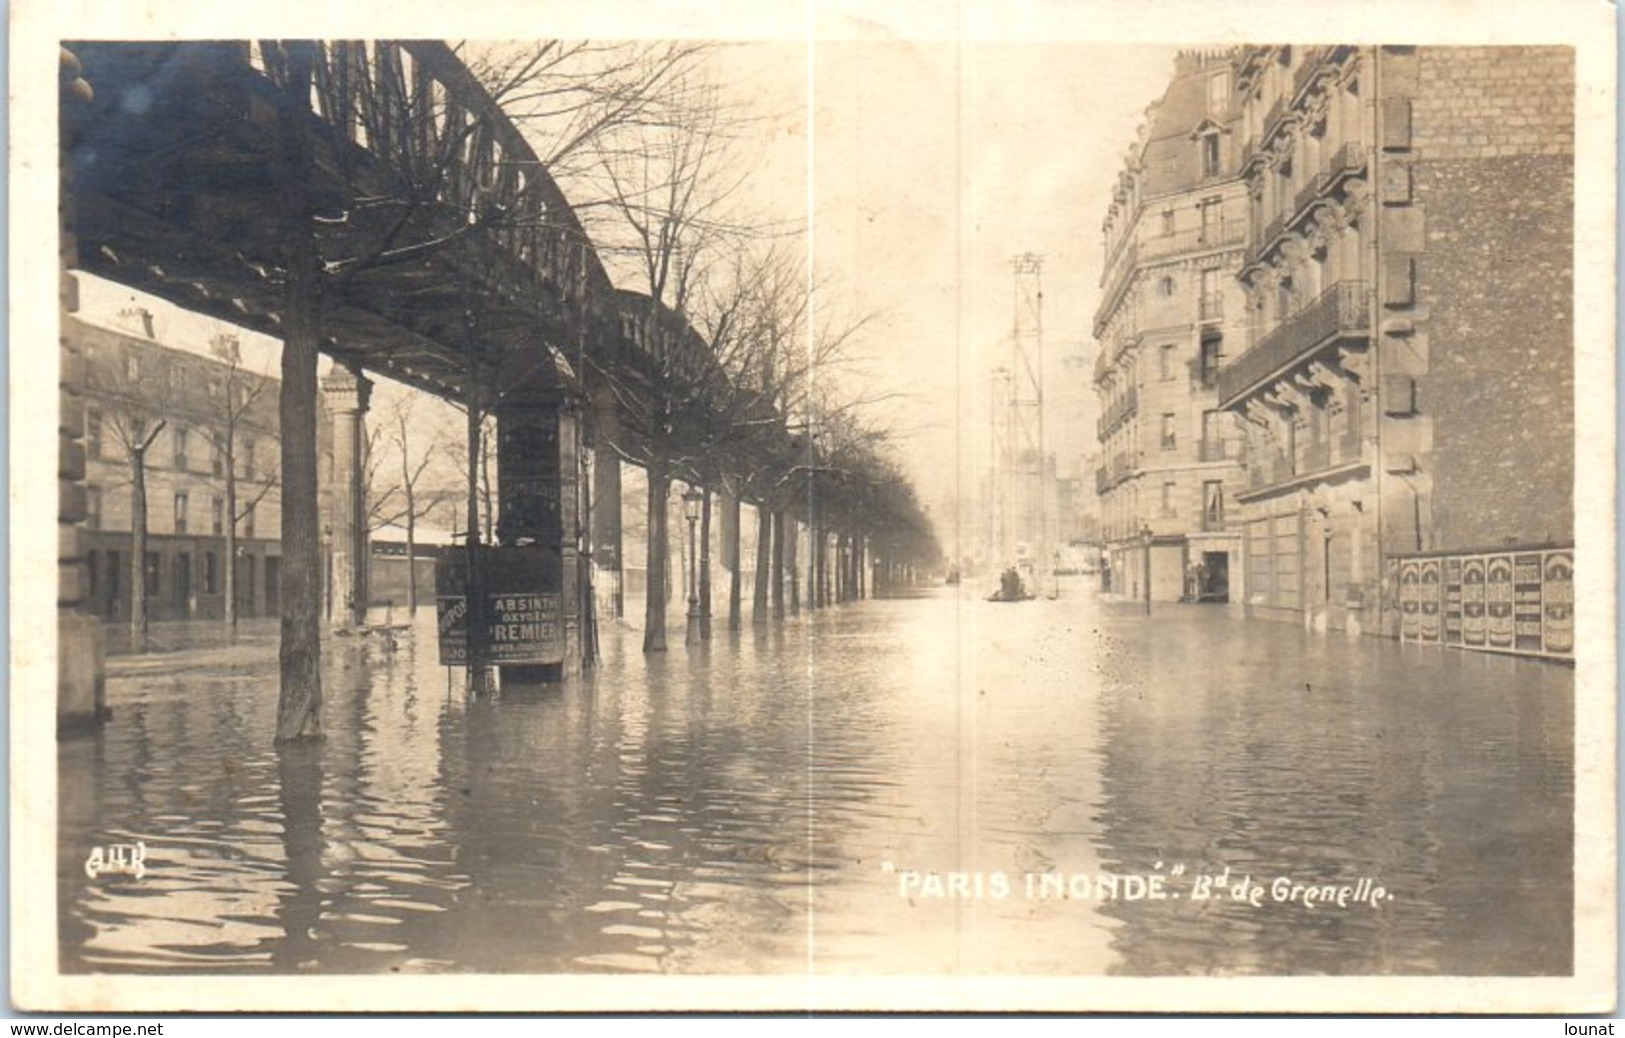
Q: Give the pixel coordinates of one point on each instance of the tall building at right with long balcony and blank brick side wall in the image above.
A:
(1406, 389)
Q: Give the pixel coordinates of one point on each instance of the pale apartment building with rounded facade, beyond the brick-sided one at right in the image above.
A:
(1176, 238)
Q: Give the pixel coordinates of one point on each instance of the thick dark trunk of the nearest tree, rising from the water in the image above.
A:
(300, 706)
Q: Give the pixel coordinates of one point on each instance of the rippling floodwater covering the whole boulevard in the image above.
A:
(929, 785)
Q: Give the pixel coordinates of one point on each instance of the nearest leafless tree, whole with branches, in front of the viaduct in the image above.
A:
(441, 186)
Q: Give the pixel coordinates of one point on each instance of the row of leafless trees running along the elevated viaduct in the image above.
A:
(654, 158)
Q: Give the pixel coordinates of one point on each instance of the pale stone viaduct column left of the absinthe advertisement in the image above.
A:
(347, 394)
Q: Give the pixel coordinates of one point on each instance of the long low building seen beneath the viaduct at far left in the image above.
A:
(131, 386)
